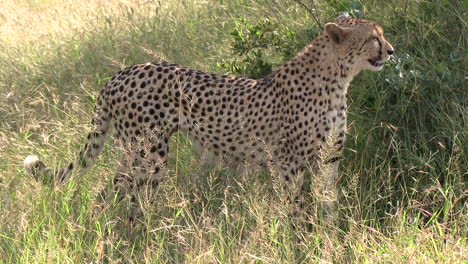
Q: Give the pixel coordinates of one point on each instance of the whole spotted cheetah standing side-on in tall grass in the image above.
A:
(282, 119)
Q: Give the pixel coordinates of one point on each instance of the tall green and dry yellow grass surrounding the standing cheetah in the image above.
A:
(402, 193)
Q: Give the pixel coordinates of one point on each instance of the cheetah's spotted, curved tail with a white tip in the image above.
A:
(88, 155)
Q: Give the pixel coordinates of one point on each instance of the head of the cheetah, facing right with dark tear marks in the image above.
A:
(360, 42)
